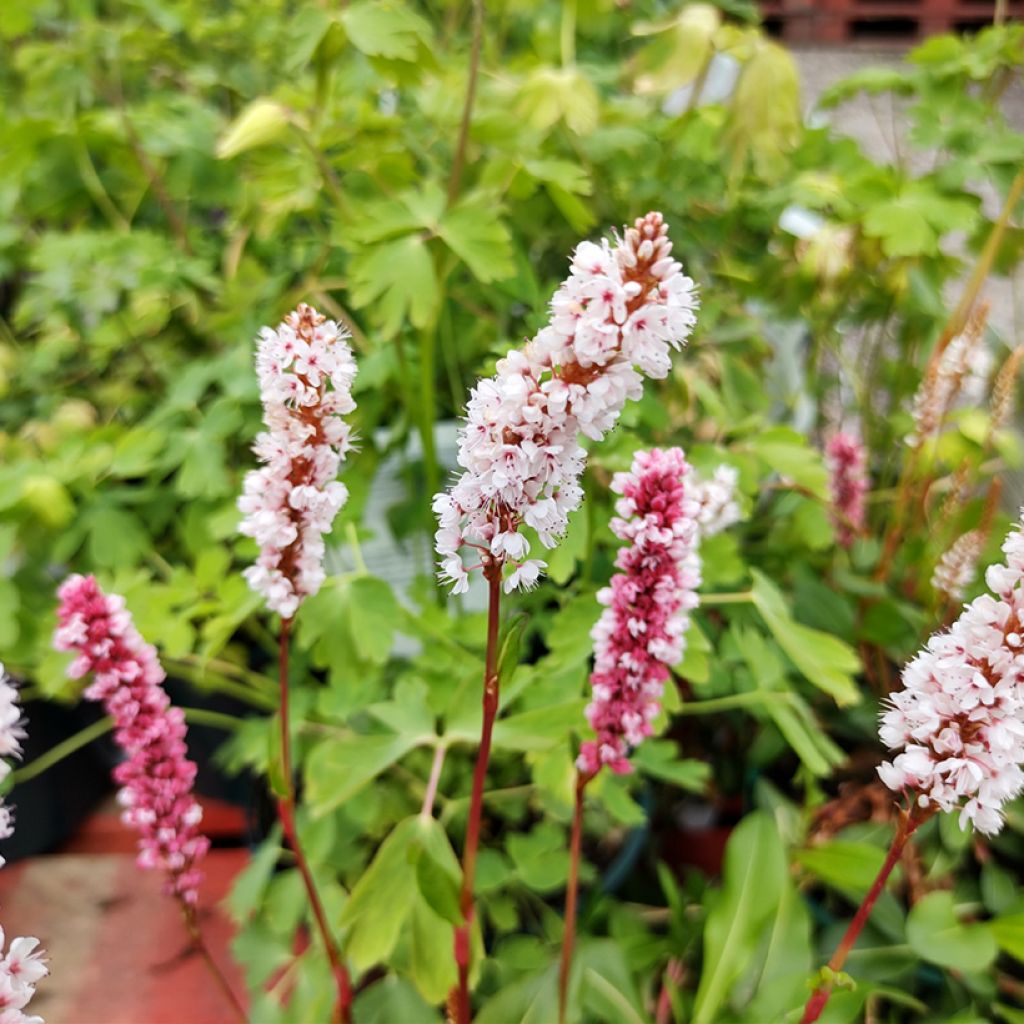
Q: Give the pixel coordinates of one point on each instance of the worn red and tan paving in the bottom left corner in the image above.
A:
(118, 950)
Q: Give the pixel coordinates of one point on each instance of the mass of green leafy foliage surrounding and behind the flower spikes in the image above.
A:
(177, 175)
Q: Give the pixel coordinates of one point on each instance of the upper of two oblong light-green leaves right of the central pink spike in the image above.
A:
(825, 661)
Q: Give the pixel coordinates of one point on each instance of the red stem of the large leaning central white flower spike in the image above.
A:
(459, 1000)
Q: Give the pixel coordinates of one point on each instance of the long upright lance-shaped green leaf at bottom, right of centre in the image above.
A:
(753, 881)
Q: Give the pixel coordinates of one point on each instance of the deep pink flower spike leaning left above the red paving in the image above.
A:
(156, 777)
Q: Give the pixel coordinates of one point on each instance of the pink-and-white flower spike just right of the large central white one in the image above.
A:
(642, 631)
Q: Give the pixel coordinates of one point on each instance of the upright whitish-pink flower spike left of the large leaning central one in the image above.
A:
(307, 372)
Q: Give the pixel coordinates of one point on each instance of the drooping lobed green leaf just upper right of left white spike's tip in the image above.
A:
(397, 280)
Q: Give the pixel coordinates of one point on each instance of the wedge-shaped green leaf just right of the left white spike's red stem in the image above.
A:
(337, 770)
